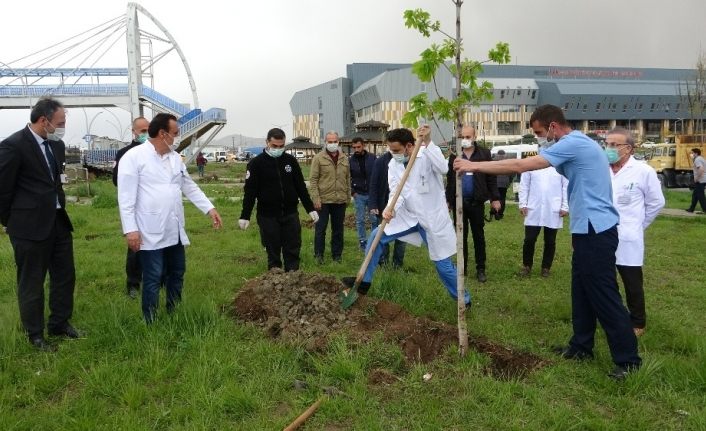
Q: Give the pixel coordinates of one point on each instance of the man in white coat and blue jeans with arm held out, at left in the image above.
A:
(151, 181)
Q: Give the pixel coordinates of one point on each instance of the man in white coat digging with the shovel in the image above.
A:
(420, 213)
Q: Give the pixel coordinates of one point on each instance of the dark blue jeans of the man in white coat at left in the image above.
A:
(168, 263)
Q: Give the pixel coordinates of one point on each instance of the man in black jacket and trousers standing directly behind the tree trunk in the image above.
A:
(476, 189)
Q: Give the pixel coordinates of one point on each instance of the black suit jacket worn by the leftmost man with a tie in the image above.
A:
(27, 192)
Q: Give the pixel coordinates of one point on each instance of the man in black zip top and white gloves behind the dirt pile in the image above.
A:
(275, 180)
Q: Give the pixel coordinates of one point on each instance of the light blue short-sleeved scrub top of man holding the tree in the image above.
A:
(584, 163)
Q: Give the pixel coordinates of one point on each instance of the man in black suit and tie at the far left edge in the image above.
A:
(32, 207)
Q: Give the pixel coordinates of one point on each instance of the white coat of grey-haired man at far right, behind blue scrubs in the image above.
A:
(637, 195)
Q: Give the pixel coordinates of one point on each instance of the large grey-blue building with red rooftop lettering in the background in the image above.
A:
(649, 102)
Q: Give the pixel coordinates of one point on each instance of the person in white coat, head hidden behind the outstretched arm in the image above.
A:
(543, 203)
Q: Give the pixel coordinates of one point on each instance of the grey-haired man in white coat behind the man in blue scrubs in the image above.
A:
(637, 195)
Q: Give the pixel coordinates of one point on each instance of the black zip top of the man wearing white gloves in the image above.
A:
(277, 184)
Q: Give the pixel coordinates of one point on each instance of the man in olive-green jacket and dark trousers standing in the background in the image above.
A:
(330, 188)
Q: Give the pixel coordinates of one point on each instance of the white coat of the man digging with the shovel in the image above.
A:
(423, 202)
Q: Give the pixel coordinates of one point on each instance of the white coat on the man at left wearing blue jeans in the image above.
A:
(150, 188)
